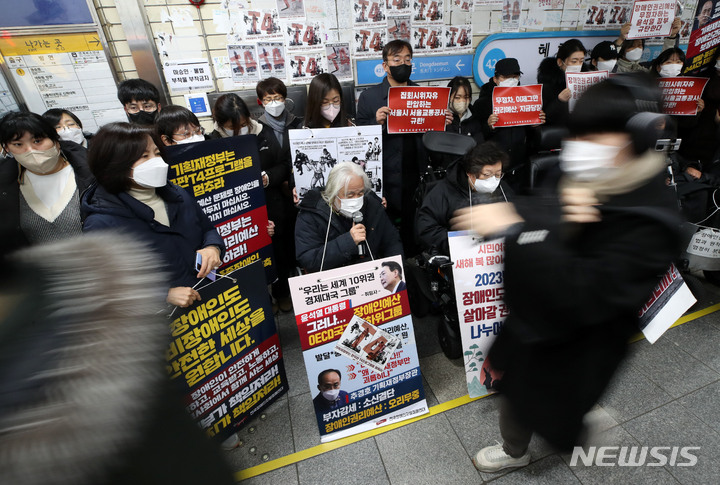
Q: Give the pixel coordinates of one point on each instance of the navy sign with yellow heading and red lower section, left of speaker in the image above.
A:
(224, 177)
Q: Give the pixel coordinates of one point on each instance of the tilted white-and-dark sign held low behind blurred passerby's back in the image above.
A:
(670, 299)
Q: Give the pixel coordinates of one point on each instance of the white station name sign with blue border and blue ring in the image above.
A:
(529, 48)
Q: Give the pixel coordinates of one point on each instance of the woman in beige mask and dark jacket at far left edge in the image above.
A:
(41, 180)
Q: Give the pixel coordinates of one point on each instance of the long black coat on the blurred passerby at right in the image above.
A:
(574, 293)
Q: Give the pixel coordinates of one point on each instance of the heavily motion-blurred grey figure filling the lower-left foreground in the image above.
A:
(84, 395)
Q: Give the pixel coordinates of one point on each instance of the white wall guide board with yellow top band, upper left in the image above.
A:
(67, 71)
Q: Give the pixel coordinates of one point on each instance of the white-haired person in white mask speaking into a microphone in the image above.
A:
(343, 224)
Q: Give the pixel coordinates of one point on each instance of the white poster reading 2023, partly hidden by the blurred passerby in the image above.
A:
(478, 272)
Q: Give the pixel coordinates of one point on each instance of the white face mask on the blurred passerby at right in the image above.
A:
(585, 161)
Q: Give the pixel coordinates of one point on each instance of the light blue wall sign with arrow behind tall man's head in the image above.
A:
(431, 68)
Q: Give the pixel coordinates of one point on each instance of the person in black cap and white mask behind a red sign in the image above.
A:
(512, 139)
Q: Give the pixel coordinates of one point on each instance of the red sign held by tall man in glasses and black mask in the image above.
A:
(415, 109)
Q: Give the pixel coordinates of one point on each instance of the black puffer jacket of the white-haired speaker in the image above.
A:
(341, 250)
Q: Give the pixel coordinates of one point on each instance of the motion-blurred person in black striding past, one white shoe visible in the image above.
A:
(578, 267)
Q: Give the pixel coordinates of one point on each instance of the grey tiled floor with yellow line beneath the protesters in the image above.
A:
(666, 394)
